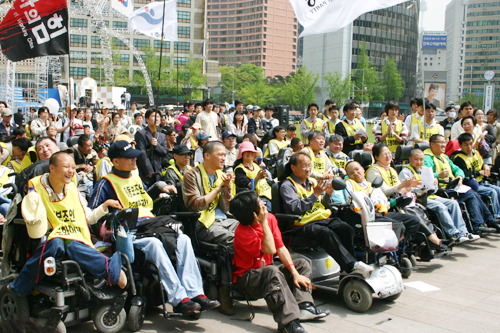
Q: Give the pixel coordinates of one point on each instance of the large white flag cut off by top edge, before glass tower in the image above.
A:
(321, 16)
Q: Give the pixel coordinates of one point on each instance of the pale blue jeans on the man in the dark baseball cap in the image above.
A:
(186, 282)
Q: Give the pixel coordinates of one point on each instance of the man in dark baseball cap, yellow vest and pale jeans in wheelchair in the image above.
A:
(184, 287)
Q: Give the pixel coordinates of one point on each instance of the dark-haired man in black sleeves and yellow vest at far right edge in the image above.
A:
(471, 162)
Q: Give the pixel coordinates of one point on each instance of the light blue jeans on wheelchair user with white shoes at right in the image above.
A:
(449, 214)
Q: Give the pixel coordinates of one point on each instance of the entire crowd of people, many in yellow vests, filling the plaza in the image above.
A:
(220, 161)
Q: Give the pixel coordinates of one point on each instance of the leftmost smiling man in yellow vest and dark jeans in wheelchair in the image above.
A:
(70, 236)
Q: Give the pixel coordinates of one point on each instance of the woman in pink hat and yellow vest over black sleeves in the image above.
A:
(246, 169)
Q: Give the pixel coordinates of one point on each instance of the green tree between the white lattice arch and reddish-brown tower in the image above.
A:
(190, 76)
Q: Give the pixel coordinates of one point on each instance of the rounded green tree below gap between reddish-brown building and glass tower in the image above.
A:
(300, 90)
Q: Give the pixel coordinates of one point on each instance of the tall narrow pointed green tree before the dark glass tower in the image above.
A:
(366, 77)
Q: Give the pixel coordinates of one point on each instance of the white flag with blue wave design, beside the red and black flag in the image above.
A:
(148, 20)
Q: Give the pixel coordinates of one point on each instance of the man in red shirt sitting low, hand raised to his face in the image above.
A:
(286, 288)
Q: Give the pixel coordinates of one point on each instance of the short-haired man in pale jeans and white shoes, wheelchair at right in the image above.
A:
(447, 210)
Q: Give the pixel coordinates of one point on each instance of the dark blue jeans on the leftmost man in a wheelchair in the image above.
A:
(87, 257)
